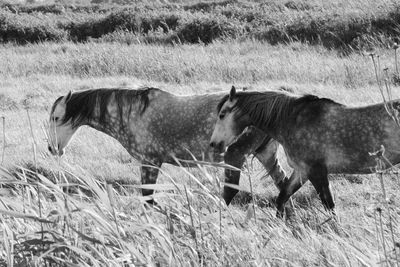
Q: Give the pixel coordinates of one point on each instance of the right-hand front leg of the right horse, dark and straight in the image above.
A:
(318, 176)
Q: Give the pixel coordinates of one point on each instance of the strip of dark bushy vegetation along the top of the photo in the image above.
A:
(334, 25)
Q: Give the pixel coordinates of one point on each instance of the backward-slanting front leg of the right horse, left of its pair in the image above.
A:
(288, 188)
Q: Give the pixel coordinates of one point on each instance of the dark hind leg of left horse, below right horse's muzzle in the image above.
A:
(245, 144)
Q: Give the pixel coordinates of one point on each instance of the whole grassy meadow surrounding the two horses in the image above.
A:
(84, 209)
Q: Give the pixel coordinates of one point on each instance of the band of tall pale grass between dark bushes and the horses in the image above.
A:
(247, 63)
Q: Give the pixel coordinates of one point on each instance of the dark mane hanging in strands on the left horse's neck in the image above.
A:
(82, 105)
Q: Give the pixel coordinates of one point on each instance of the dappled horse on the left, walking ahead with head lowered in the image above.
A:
(157, 127)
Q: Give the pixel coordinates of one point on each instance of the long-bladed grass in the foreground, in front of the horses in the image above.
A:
(96, 225)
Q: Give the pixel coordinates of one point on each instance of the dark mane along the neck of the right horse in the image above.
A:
(269, 109)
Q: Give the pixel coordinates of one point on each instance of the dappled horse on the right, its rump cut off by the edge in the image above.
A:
(319, 136)
